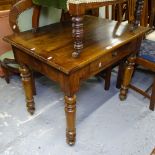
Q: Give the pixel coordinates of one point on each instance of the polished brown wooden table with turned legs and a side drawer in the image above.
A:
(106, 43)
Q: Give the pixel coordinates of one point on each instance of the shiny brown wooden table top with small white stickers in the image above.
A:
(54, 45)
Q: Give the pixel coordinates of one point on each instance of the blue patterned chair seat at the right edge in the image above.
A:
(147, 50)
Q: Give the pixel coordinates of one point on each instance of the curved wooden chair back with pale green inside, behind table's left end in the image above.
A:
(25, 15)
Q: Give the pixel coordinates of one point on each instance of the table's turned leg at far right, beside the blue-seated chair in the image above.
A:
(127, 78)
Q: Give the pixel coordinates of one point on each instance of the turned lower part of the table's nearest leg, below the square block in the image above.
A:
(70, 109)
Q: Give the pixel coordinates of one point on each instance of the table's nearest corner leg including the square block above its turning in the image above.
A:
(70, 85)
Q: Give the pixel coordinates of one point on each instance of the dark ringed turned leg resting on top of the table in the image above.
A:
(77, 32)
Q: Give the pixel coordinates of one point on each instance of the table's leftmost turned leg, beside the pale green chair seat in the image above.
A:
(27, 84)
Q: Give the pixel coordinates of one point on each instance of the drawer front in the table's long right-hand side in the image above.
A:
(111, 57)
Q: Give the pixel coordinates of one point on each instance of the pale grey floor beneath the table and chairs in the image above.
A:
(105, 125)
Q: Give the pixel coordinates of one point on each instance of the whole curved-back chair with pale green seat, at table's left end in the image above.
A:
(36, 17)
